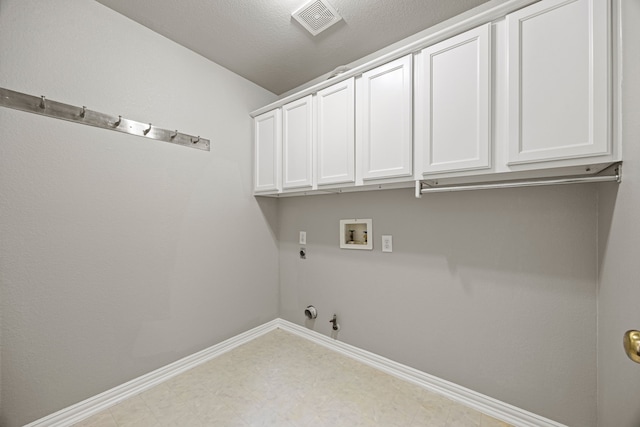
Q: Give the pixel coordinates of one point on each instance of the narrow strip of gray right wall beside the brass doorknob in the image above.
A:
(619, 237)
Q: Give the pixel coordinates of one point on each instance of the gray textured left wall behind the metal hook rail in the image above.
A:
(119, 254)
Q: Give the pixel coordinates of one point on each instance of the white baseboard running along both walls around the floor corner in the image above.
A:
(485, 404)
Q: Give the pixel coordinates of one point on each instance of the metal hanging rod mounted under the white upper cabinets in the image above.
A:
(423, 187)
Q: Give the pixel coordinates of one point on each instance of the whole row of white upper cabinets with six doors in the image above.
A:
(526, 95)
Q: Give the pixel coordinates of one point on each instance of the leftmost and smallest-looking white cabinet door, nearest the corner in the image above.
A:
(267, 154)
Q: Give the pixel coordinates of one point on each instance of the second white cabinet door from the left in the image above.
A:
(297, 143)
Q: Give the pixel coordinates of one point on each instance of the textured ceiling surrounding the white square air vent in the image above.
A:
(259, 40)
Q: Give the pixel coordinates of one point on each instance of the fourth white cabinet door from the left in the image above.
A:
(385, 104)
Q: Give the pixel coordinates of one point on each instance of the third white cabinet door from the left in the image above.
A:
(335, 146)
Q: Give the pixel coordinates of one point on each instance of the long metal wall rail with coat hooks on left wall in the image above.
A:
(41, 105)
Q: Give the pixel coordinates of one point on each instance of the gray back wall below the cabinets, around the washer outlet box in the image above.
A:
(492, 290)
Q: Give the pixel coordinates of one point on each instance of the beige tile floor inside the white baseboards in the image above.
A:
(280, 379)
